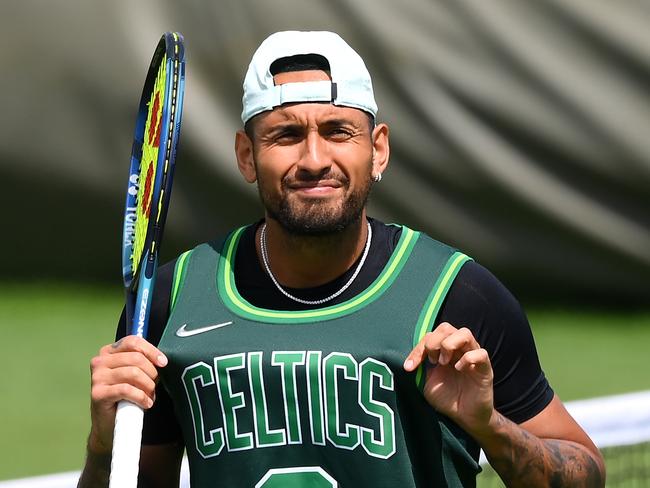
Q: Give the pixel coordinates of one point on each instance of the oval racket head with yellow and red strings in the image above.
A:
(153, 157)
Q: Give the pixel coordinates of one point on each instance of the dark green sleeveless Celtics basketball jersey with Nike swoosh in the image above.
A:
(314, 398)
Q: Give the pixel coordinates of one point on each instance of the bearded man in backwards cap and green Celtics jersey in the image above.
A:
(319, 347)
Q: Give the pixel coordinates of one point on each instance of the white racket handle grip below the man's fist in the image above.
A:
(127, 436)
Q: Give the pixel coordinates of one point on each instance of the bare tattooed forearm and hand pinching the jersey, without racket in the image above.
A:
(549, 450)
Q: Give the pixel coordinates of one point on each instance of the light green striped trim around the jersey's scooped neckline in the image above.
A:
(237, 304)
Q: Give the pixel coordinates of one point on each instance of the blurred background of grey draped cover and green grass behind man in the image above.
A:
(519, 134)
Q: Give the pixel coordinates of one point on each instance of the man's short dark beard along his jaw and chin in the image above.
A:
(316, 217)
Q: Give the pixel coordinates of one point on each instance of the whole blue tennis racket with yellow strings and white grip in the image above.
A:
(147, 197)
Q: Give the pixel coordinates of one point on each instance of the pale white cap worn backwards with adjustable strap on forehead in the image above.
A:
(350, 85)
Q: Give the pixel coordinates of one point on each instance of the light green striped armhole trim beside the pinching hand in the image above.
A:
(434, 302)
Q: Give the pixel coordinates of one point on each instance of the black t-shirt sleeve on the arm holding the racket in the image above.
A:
(160, 425)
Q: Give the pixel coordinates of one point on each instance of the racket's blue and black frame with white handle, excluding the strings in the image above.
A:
(139, 282)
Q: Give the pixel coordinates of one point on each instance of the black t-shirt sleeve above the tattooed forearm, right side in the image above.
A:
(479, 301)
